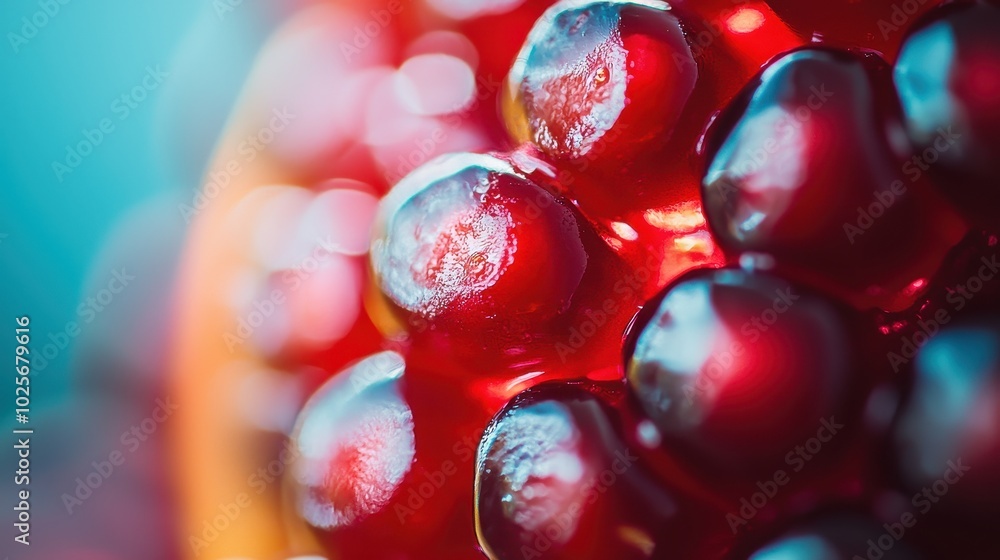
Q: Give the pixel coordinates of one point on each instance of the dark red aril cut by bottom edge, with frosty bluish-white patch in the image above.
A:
(555, 481)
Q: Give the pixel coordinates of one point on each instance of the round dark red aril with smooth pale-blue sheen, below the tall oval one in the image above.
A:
(736, 369)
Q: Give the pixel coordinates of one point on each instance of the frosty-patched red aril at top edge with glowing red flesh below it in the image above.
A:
(627, 159)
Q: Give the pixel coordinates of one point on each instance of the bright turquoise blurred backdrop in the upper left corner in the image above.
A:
(64, 80)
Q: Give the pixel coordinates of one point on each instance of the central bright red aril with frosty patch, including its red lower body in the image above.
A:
(494, 275)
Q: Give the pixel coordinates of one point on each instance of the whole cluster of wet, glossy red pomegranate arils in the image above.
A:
(822, 386)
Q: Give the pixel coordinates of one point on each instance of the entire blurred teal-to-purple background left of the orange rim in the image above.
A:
(60, 243)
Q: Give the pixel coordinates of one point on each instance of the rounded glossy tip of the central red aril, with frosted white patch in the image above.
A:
(461, 235)
